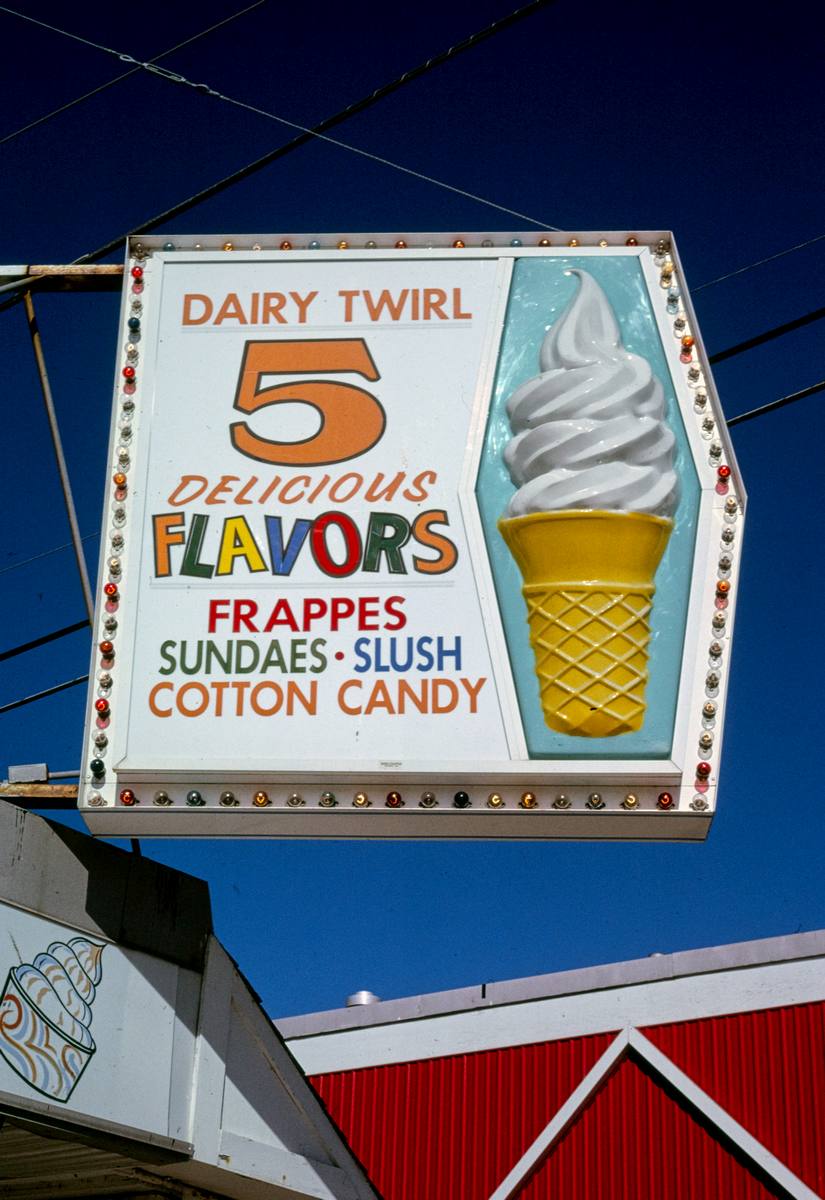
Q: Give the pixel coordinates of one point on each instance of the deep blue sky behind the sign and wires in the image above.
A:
(702, 119)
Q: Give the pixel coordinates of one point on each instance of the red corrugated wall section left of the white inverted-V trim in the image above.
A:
(451, 1129)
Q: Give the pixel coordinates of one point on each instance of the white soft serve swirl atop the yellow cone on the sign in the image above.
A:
(589, 431)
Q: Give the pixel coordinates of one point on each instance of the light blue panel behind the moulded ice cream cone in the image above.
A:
(541, 291)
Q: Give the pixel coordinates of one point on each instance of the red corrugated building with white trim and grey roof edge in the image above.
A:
(700, 1073)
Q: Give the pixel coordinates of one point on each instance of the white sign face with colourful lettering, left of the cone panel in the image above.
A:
(305, 585)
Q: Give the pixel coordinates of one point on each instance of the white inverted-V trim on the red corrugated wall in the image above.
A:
(631, 1040)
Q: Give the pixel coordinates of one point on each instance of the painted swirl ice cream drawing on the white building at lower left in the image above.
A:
(46, 1010)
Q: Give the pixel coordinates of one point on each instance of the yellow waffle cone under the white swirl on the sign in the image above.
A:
(589, 590)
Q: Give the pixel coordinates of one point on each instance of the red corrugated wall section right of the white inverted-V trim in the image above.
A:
(768, 1071)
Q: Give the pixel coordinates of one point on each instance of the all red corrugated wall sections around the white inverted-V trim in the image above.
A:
(453, 1129)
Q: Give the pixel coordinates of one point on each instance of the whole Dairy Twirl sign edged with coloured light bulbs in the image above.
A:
(425, 539)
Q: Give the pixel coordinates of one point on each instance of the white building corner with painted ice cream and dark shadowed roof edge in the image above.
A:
(135, 1058)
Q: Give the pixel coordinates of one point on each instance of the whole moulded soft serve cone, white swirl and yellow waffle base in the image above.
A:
(592, 458)
